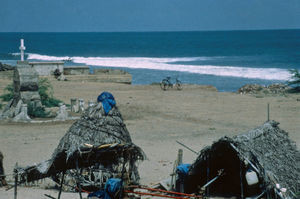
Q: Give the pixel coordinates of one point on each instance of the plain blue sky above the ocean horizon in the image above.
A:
(147, 15)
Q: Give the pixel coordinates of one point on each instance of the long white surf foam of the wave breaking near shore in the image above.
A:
(170, 65)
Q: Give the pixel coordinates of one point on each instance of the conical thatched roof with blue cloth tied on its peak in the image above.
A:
(94, 128)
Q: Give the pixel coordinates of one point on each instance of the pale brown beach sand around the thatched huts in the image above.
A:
(195, 116)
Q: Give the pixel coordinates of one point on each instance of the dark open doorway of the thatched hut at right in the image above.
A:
(232, 183)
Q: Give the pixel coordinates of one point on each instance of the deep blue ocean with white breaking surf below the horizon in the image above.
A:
(224, 59)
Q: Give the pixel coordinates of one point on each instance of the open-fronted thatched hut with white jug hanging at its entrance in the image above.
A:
(265, 151)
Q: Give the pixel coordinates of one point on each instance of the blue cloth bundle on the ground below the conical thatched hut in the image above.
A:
(112, 186)
